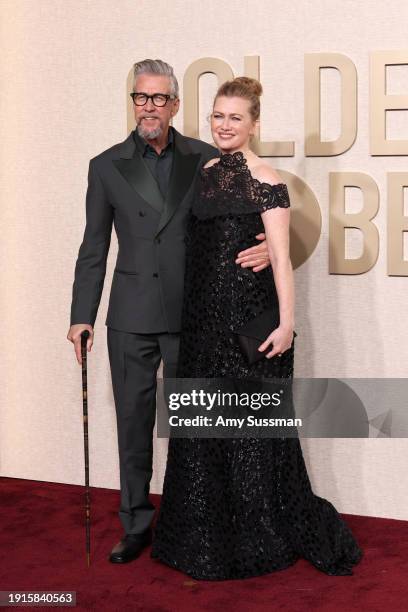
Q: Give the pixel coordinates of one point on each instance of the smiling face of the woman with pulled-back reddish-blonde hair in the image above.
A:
(231, 123)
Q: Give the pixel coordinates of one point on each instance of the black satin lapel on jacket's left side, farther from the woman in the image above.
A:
(136, 173)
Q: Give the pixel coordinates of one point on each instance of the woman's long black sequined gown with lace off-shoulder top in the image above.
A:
(238, 507)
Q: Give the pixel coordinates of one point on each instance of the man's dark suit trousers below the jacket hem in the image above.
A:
(134, 361)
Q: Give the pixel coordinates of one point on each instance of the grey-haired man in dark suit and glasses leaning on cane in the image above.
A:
(144, 186)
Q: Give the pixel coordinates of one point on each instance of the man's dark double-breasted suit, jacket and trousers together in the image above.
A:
(145, 304)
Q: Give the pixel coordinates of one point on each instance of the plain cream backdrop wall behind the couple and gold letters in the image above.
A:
(63, 69)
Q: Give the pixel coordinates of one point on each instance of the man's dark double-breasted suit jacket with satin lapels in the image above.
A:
(147, 287)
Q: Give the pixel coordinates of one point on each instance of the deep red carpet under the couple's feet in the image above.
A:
(43, 548)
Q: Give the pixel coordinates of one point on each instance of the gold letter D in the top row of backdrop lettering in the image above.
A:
(314, 145)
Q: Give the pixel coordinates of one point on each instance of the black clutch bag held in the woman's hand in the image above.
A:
(253, 333)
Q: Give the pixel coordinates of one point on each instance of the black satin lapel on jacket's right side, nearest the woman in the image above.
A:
(184, 168)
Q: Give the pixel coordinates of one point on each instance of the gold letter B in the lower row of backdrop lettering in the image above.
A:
(339, 220)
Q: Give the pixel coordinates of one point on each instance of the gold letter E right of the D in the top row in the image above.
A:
(381, 102)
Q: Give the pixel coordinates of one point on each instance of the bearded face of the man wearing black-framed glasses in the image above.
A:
(152, 121)
